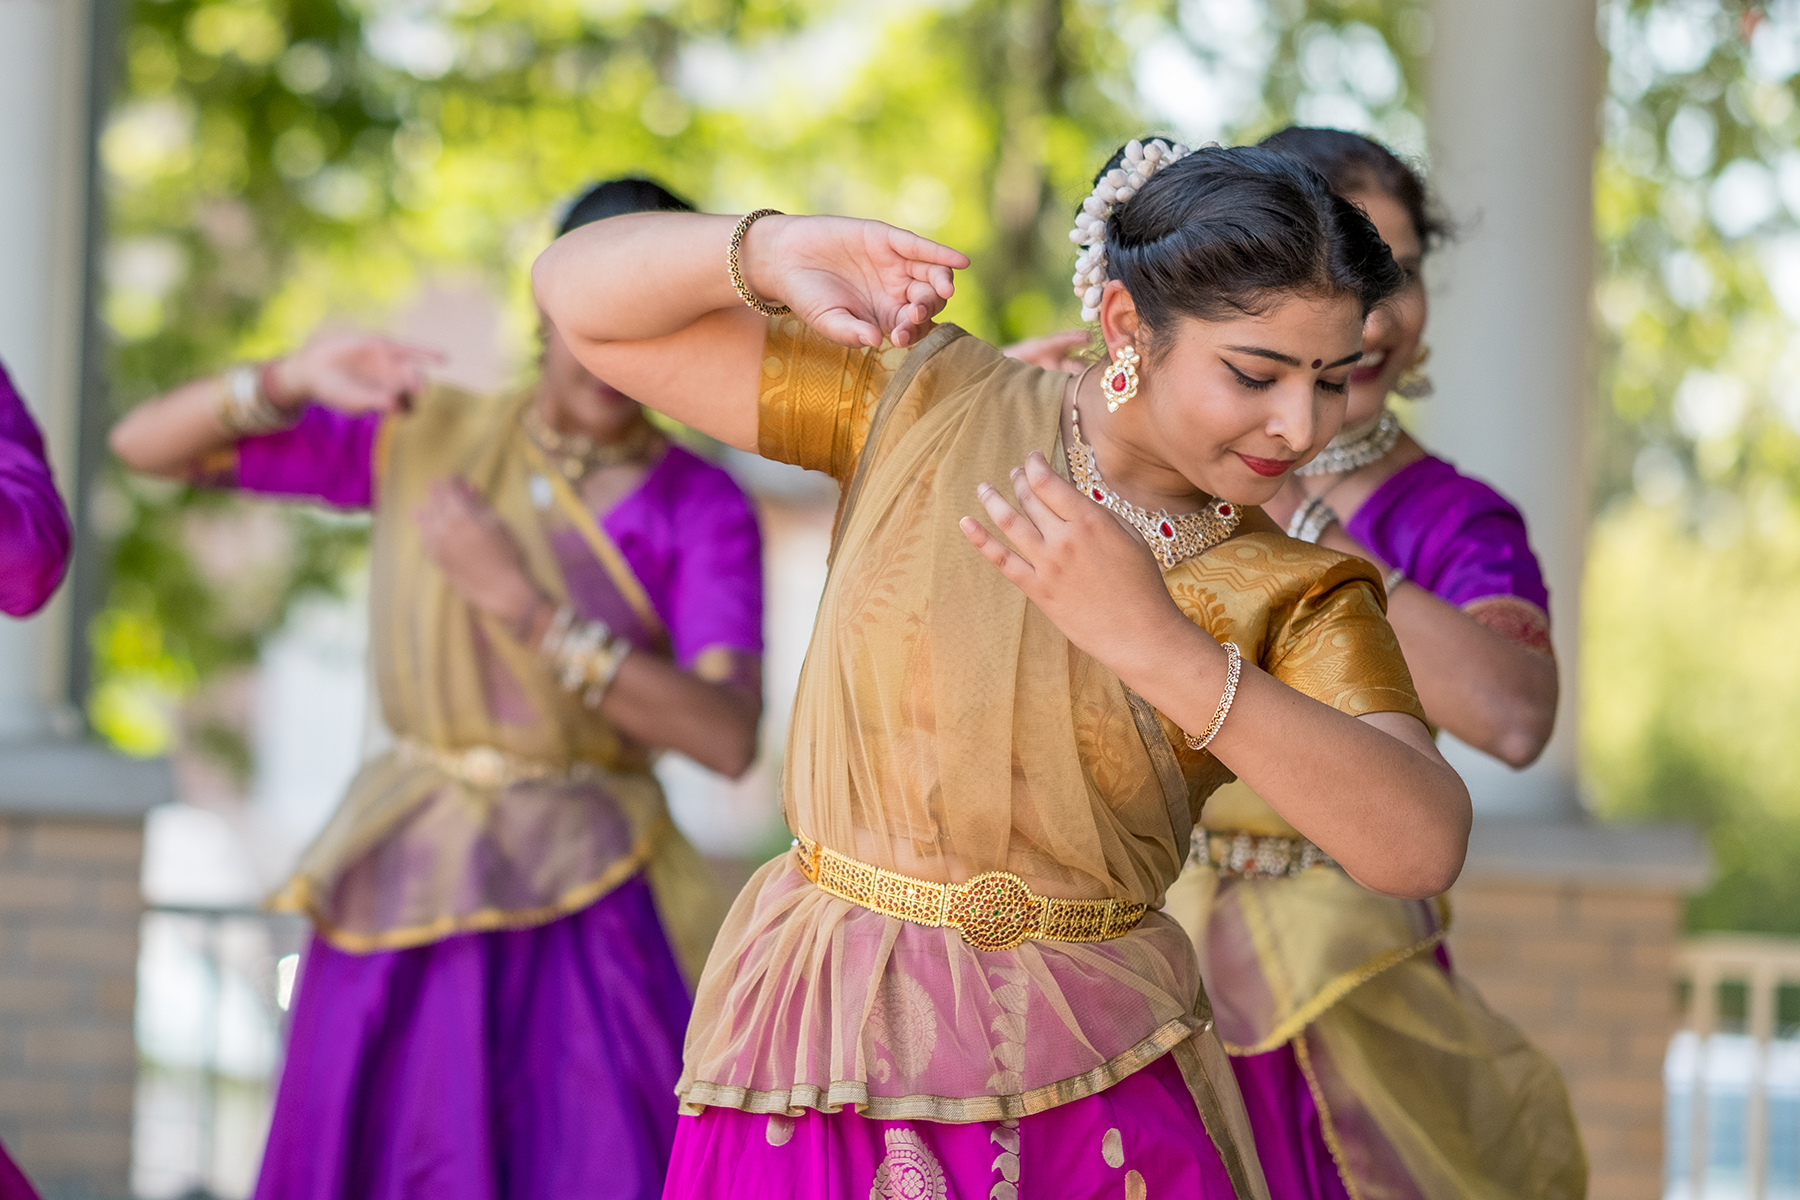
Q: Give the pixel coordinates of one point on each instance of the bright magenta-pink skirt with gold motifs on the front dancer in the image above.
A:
(1140, 1138)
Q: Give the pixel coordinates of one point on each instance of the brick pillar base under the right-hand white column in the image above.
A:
(1588, 974)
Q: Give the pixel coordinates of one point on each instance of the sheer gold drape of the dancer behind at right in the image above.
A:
(1426, 1095)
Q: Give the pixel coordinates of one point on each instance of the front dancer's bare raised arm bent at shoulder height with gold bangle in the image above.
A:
(647, 301)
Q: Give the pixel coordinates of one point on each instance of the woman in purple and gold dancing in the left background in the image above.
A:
(490, 1007)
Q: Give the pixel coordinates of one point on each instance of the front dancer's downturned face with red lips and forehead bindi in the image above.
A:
(1236, 406)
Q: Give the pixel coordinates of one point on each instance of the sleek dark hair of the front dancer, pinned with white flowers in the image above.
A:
(1236, 231)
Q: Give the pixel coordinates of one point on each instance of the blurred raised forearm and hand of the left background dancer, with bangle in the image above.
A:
(355, 373)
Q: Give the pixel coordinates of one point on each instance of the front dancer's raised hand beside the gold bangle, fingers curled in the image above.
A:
(854, 282)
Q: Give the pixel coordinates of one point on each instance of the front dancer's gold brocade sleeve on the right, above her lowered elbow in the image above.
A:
(1338, 647)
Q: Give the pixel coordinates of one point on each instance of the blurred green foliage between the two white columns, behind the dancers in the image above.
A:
(278, 163)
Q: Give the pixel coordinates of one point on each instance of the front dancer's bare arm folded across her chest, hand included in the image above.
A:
(1372, 793)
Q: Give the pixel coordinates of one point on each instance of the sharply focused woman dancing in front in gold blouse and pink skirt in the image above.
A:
(958, 980)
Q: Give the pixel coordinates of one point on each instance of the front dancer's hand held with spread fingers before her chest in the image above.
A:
(1092, 577)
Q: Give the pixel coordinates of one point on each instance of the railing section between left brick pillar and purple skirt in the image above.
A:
(211, 1021)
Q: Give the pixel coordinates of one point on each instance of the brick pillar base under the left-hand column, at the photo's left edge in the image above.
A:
(69, 918)
